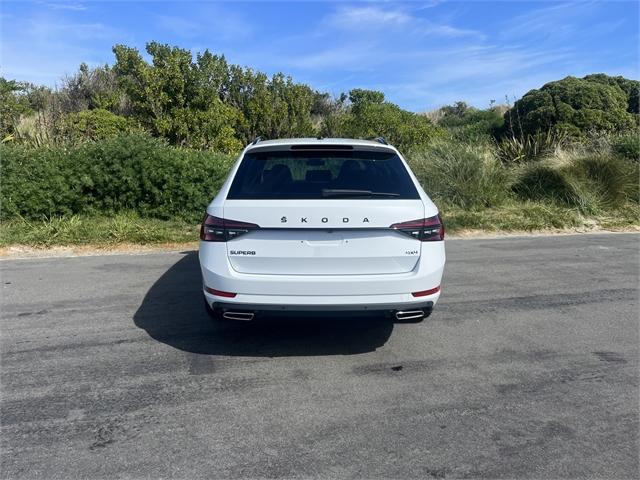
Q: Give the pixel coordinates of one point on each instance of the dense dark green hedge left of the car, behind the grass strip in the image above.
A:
(130, 172)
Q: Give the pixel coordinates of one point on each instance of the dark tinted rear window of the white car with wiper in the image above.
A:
(322, 175)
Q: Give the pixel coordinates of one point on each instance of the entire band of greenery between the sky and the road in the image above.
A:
(133, 152)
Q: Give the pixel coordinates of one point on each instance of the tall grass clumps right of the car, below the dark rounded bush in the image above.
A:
(589, 176)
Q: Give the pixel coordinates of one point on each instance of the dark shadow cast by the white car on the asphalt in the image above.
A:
(172, 312)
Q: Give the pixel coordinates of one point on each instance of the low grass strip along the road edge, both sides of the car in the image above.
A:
(128, 228)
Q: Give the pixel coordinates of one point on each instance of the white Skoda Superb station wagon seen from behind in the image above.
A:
(311, 225)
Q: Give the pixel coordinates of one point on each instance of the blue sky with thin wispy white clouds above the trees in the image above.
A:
(420, 54)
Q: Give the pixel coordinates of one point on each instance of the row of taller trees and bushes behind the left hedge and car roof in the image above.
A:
(201, 103)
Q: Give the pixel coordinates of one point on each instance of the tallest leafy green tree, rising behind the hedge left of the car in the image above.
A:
(177, 98)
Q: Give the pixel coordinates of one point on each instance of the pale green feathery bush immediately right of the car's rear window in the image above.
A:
(461, 174)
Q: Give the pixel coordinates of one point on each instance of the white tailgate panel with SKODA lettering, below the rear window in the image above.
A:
(324, 237)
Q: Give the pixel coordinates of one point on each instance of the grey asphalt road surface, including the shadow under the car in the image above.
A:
(527, 368)
